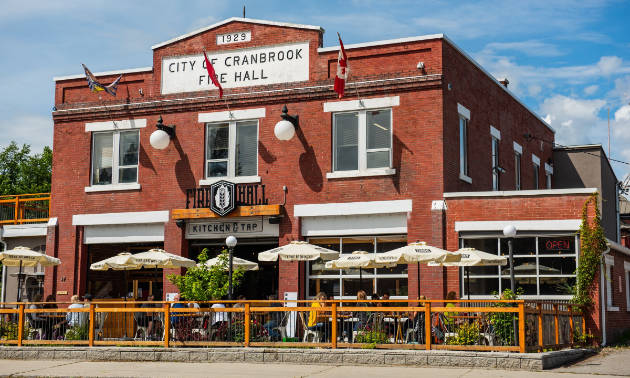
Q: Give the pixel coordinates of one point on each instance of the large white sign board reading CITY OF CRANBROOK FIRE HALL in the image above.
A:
(237, 68)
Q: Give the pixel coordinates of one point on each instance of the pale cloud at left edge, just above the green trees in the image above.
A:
(32, 129)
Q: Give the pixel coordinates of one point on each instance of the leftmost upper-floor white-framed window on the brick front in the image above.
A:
(115, 157)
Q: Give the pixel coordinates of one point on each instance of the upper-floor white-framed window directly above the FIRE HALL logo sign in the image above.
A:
(232, 150)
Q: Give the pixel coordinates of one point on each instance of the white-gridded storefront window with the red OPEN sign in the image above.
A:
(543, 266)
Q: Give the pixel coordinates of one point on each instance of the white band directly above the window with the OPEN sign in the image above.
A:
(537, 225)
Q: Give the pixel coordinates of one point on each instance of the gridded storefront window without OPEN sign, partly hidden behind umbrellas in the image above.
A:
(345, 283)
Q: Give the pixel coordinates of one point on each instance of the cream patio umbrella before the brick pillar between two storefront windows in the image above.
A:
(419, 253)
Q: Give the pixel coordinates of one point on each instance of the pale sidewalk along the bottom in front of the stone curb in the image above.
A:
(49, 368)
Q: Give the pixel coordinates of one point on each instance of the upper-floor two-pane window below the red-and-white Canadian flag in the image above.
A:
(362, 140)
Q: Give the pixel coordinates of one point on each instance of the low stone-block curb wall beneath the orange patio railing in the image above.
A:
(433, 358)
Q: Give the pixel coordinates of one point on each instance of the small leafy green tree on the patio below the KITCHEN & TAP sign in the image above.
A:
(201, 283)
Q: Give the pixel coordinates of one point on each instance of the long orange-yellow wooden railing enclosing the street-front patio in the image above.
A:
(480, 325)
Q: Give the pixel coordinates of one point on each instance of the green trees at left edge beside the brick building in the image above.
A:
(23, 173)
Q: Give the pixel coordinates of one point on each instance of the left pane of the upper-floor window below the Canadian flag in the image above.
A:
(347, 142)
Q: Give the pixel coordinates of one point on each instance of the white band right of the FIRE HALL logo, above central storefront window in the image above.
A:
(352, 208)
